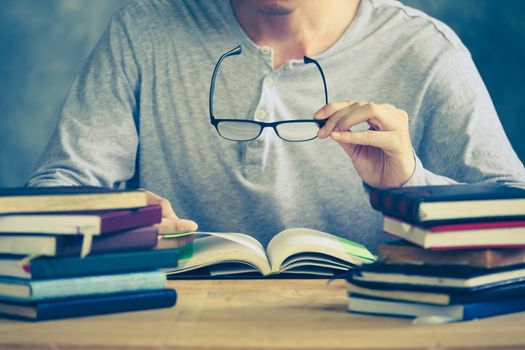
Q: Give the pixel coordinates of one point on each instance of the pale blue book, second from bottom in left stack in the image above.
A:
(30, 291)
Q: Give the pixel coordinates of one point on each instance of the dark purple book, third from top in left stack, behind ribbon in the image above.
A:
(135, 239)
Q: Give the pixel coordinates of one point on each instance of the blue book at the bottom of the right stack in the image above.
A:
(457, 312)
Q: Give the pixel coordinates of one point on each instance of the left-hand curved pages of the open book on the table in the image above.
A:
(217, 248)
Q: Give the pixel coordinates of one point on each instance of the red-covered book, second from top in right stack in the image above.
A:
(465, 235)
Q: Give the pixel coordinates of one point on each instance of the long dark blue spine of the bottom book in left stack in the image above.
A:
(106, 304)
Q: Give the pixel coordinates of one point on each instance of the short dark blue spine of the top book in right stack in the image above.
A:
(396, 205)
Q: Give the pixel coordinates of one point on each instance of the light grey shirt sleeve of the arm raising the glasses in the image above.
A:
(463, 137)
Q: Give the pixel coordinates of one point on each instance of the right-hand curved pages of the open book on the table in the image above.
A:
(302, 241)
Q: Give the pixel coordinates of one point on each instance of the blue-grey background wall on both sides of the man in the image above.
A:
(43, 44)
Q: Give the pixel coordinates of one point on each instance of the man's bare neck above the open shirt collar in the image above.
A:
(307, 30)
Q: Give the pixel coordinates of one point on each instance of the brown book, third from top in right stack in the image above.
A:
(402, 252)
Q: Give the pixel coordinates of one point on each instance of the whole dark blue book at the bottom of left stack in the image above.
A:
(88, 306)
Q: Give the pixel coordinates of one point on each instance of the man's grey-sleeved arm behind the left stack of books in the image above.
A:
(96, 140)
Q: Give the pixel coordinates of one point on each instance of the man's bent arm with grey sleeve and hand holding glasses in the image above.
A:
(463, 138)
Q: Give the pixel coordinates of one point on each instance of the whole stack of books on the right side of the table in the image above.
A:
(461, 255)
